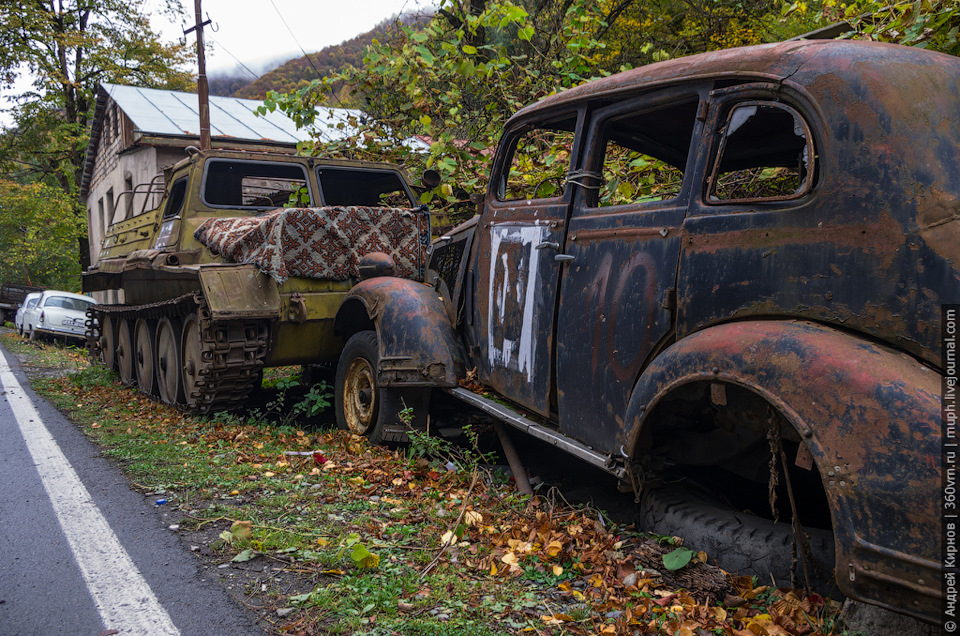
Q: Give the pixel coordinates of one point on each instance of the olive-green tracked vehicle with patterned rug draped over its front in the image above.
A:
(243, 265)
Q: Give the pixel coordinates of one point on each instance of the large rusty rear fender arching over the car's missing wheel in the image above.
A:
(871, 419)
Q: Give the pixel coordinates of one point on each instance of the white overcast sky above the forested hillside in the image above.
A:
(263, 33)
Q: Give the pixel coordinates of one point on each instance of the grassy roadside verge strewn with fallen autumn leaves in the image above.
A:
(319, 533)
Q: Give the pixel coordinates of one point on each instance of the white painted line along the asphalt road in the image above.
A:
(124, 599)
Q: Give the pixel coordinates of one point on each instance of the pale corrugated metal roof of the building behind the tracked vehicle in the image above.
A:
(162, 112)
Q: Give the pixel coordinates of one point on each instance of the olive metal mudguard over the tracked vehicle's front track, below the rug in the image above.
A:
(239, 291)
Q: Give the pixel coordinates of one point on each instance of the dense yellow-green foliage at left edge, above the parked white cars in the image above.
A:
(39, 234)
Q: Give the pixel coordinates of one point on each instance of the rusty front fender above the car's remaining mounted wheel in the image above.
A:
(418, 345)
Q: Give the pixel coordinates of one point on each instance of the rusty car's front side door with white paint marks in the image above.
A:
(519, 236)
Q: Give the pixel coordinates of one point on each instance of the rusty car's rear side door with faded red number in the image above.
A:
(618, 290)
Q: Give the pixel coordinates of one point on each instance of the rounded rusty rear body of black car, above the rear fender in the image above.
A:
(875, 246)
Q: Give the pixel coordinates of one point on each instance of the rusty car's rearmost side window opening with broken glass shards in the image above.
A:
(765, 153)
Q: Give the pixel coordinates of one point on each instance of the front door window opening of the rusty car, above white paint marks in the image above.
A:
(539, 164)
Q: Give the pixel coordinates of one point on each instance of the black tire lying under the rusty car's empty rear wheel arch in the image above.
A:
(737, 541)
